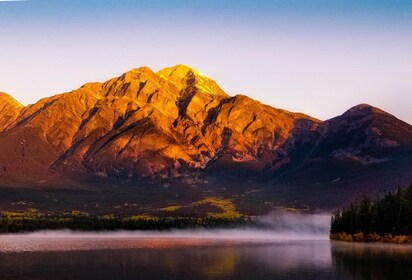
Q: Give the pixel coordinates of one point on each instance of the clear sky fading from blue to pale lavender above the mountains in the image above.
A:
(320, 57)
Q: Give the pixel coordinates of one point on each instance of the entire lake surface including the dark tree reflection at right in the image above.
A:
(205, 256)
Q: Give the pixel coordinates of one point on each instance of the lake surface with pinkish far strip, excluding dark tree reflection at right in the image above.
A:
(104, 257)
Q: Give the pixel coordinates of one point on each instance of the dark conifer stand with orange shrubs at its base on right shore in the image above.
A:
(385, 220)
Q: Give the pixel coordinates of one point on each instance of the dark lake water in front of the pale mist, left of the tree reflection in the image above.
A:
(223, 262)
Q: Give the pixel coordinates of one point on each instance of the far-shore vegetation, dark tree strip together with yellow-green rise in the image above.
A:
(210, 212)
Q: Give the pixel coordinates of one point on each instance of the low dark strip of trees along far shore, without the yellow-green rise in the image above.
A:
(76, 220)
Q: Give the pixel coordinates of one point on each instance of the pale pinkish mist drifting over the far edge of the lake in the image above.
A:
(278, 226)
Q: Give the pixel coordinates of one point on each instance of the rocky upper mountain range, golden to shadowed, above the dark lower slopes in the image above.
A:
(173, 123)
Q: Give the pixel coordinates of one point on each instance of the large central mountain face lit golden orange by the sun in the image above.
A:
(145, 124)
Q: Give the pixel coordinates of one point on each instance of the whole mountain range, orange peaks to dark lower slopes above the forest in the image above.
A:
(177, 127)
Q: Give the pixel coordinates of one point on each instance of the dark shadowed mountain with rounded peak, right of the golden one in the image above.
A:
(365, 151)
